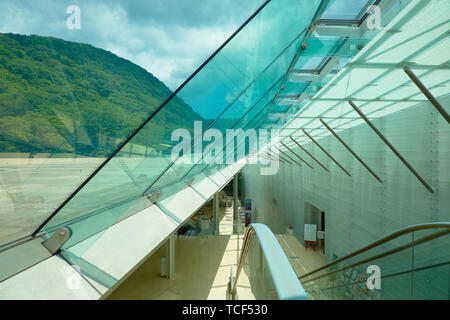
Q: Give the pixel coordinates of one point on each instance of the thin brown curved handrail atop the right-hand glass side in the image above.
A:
(389, 237)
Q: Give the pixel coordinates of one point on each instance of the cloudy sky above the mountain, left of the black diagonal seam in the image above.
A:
(169, 38)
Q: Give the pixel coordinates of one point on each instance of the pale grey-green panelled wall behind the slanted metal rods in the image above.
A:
(359, 209)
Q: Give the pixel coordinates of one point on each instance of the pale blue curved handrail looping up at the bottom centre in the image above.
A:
(284, 277)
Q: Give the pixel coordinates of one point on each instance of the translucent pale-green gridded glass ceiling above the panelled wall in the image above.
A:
(375, 80)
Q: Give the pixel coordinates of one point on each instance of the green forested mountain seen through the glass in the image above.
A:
(65, 97)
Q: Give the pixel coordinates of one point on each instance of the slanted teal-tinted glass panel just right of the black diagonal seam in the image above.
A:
(229, 76)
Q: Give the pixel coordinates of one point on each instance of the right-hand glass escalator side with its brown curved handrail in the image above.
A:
(411, 263)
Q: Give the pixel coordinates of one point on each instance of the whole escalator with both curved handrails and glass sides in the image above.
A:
(411, 263)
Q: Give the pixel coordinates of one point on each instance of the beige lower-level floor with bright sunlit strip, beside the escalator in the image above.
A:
(203, 266)
